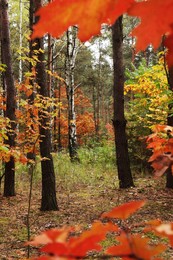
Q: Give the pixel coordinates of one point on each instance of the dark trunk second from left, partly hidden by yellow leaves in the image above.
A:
(49, 201)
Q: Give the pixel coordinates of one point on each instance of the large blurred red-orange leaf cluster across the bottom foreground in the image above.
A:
(72, 243)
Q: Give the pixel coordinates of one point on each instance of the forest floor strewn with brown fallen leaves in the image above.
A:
(79, 204)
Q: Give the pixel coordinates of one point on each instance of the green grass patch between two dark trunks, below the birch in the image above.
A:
(96, 168)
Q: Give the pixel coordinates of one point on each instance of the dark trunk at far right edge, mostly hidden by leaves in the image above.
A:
(169, 175)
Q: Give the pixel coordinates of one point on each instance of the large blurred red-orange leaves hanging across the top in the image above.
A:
(156, 19)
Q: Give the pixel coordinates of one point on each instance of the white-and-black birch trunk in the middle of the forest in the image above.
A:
(69, 78)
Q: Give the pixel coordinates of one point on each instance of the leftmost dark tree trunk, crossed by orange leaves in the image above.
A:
(9, 182)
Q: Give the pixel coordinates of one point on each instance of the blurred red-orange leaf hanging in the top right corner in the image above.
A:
(156, 19)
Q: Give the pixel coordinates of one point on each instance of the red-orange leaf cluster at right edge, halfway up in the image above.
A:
(161, 143)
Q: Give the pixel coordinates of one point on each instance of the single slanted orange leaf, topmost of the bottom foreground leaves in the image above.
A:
(125, 210)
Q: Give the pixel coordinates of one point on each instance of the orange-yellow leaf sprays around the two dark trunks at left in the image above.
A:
(27, 122)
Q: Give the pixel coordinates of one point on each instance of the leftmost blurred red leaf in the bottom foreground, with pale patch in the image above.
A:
(58, 244)
